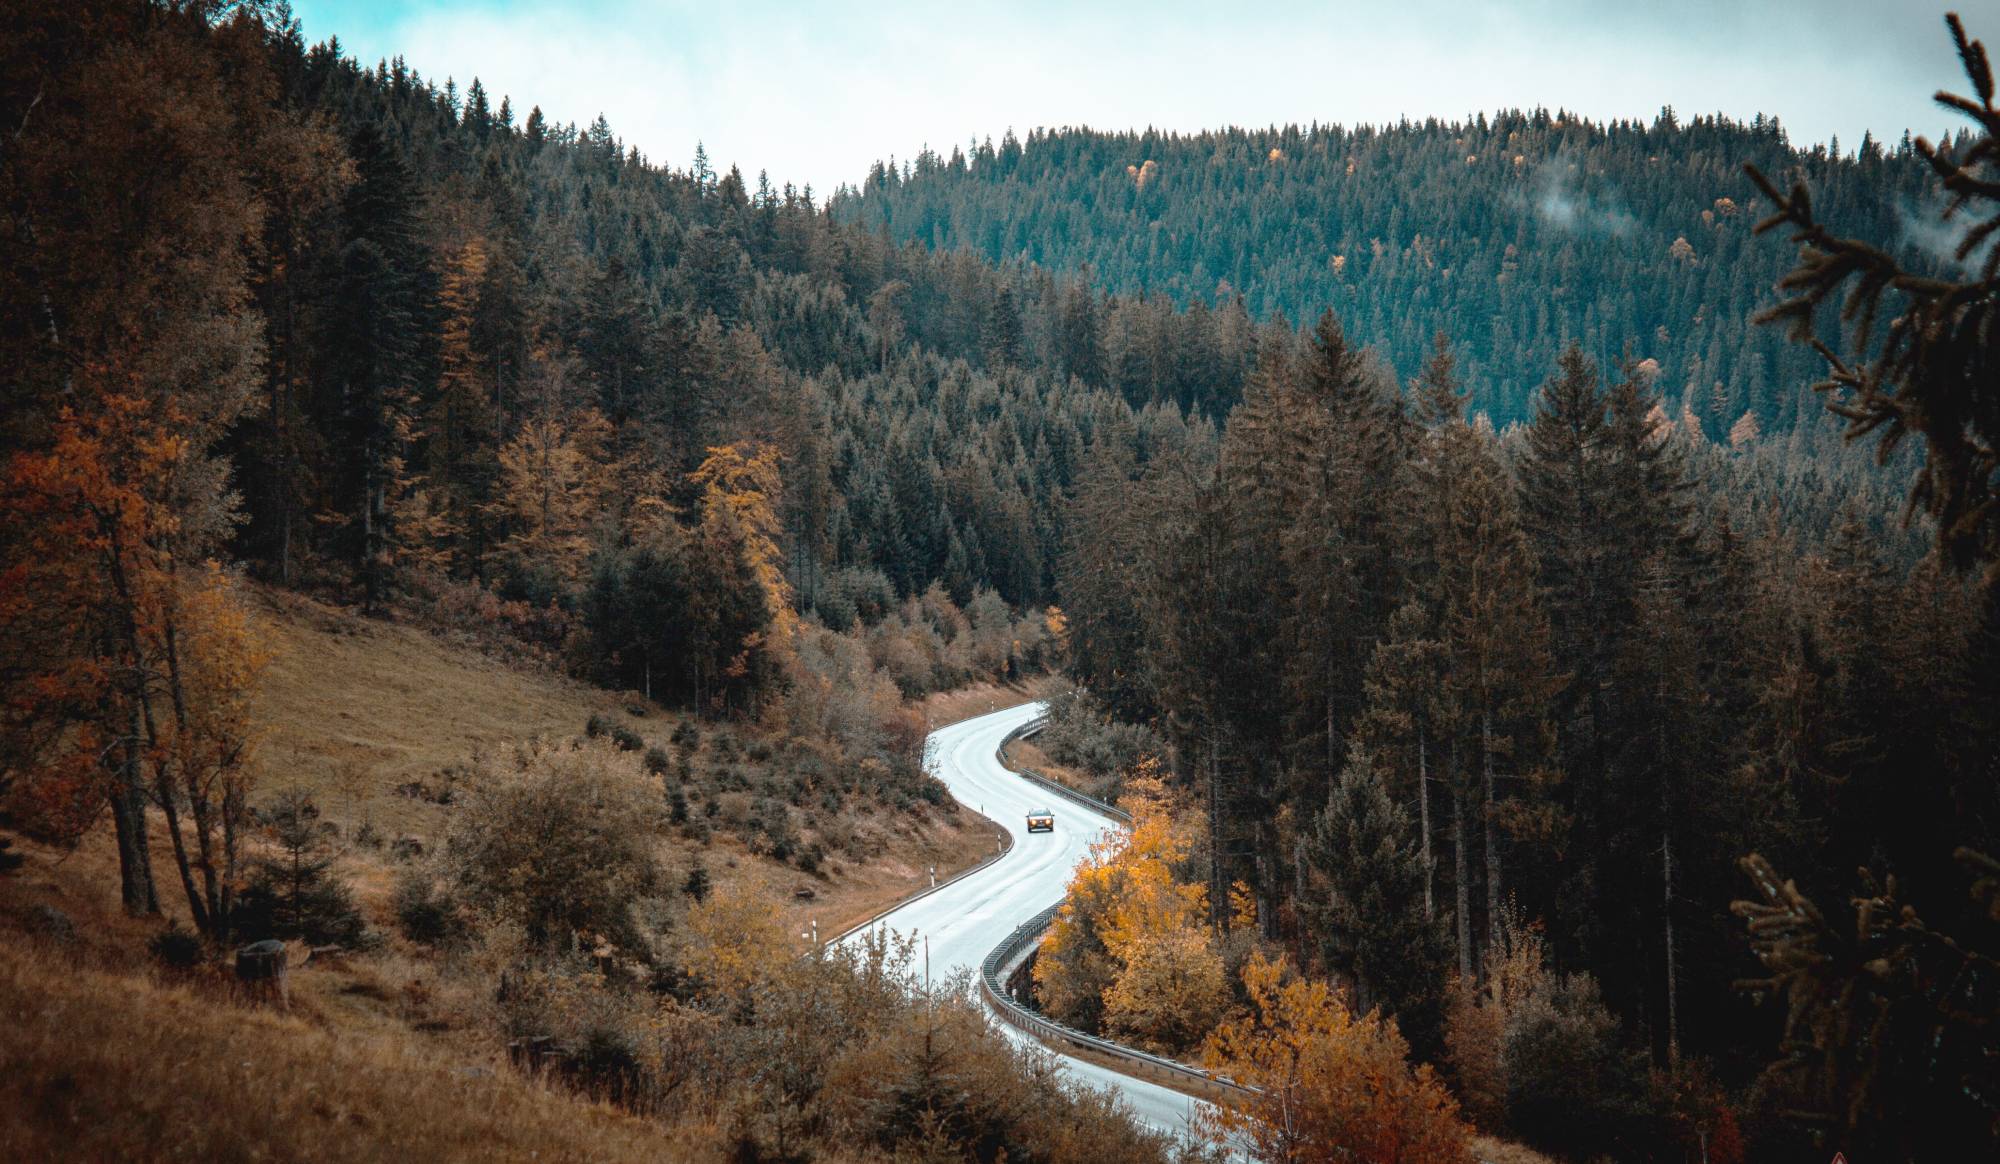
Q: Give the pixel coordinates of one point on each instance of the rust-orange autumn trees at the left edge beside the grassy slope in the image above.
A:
(145, 665)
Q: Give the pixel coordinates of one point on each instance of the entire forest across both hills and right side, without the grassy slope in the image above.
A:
(1459, 573)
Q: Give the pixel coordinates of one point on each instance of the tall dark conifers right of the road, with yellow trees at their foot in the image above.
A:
(1501, 729)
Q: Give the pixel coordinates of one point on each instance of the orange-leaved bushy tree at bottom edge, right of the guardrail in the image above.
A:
(1329, 1083)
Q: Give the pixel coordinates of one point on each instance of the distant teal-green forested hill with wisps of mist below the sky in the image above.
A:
(1519, 235)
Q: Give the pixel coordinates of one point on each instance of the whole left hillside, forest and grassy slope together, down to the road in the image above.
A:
(439, 363)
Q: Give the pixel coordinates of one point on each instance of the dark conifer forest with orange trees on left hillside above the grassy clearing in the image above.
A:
(437, 353)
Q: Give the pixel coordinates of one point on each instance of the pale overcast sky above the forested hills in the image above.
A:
(815, 91)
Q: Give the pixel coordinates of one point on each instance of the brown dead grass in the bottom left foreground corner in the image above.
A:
(117, 1067)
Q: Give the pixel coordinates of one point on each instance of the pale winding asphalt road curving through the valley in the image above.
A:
(967, 919)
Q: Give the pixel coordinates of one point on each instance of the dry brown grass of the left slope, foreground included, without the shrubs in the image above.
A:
(383, 1055)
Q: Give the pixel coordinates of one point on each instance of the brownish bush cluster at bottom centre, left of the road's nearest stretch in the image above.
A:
(801, 1057)
